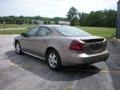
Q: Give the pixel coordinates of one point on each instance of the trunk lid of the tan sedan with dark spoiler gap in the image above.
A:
(93, 44)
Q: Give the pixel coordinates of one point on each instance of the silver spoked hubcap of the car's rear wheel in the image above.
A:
(52, 60)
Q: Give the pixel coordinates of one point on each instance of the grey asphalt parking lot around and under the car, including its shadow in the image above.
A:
(28, 73)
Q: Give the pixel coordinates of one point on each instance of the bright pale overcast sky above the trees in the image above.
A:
(52, 8)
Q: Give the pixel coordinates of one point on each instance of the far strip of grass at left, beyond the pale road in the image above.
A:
(15, 26)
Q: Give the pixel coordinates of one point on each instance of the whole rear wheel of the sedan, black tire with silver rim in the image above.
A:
(53, 60)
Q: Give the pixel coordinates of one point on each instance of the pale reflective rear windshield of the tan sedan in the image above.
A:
(71, 31)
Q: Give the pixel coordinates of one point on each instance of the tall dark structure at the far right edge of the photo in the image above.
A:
(118, 20)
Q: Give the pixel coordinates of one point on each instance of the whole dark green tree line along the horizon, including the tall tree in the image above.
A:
(103, 18)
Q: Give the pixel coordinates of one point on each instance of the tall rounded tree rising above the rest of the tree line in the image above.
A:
(72, 16)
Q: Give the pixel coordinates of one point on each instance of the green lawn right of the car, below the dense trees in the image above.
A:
(100, 31)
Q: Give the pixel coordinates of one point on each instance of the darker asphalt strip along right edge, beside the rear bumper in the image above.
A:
(113, 63)
